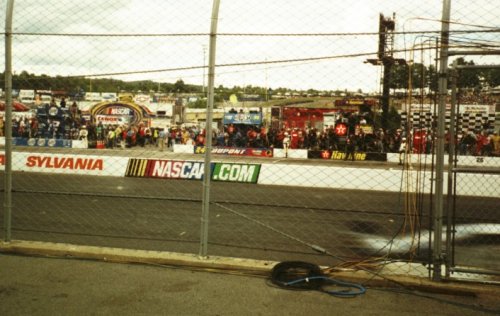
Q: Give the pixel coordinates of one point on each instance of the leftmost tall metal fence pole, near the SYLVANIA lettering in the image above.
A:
(8, 122)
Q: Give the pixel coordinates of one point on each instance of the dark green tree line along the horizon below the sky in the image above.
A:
(422, 77)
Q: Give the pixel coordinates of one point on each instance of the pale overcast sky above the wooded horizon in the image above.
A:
(77, 55)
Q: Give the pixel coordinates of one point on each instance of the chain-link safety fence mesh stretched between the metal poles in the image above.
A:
(323, 130)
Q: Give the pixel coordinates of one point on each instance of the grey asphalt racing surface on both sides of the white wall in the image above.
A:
(246, 220)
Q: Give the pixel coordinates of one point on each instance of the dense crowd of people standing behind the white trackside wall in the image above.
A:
(71, 125)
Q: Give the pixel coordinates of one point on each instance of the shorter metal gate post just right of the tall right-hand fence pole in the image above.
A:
(451, 156)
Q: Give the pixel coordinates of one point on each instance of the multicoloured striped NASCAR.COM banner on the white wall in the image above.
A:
(191, 170)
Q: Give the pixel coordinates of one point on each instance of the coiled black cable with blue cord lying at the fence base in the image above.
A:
(298, 275)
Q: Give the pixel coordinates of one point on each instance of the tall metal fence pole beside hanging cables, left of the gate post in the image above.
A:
(443, 91)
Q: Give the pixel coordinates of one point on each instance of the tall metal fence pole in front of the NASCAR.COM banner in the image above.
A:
(208, 131)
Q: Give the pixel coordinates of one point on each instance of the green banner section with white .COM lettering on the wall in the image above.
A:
(233, 172)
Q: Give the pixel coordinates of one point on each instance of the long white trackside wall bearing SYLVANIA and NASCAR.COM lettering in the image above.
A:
(389, 177)
